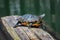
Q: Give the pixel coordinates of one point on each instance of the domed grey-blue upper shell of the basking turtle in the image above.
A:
(30, 18)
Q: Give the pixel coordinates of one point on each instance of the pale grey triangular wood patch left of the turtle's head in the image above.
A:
(11, 20)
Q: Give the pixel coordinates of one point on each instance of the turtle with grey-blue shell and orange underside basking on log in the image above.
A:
(30, 20)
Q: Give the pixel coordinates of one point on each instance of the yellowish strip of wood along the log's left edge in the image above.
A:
(10, 30)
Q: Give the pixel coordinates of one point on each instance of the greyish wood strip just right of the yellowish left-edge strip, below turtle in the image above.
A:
(21, 33)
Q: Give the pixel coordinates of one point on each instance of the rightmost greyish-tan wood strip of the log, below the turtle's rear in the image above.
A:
(42, 34)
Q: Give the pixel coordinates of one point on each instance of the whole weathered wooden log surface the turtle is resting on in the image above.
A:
(24, 33)
